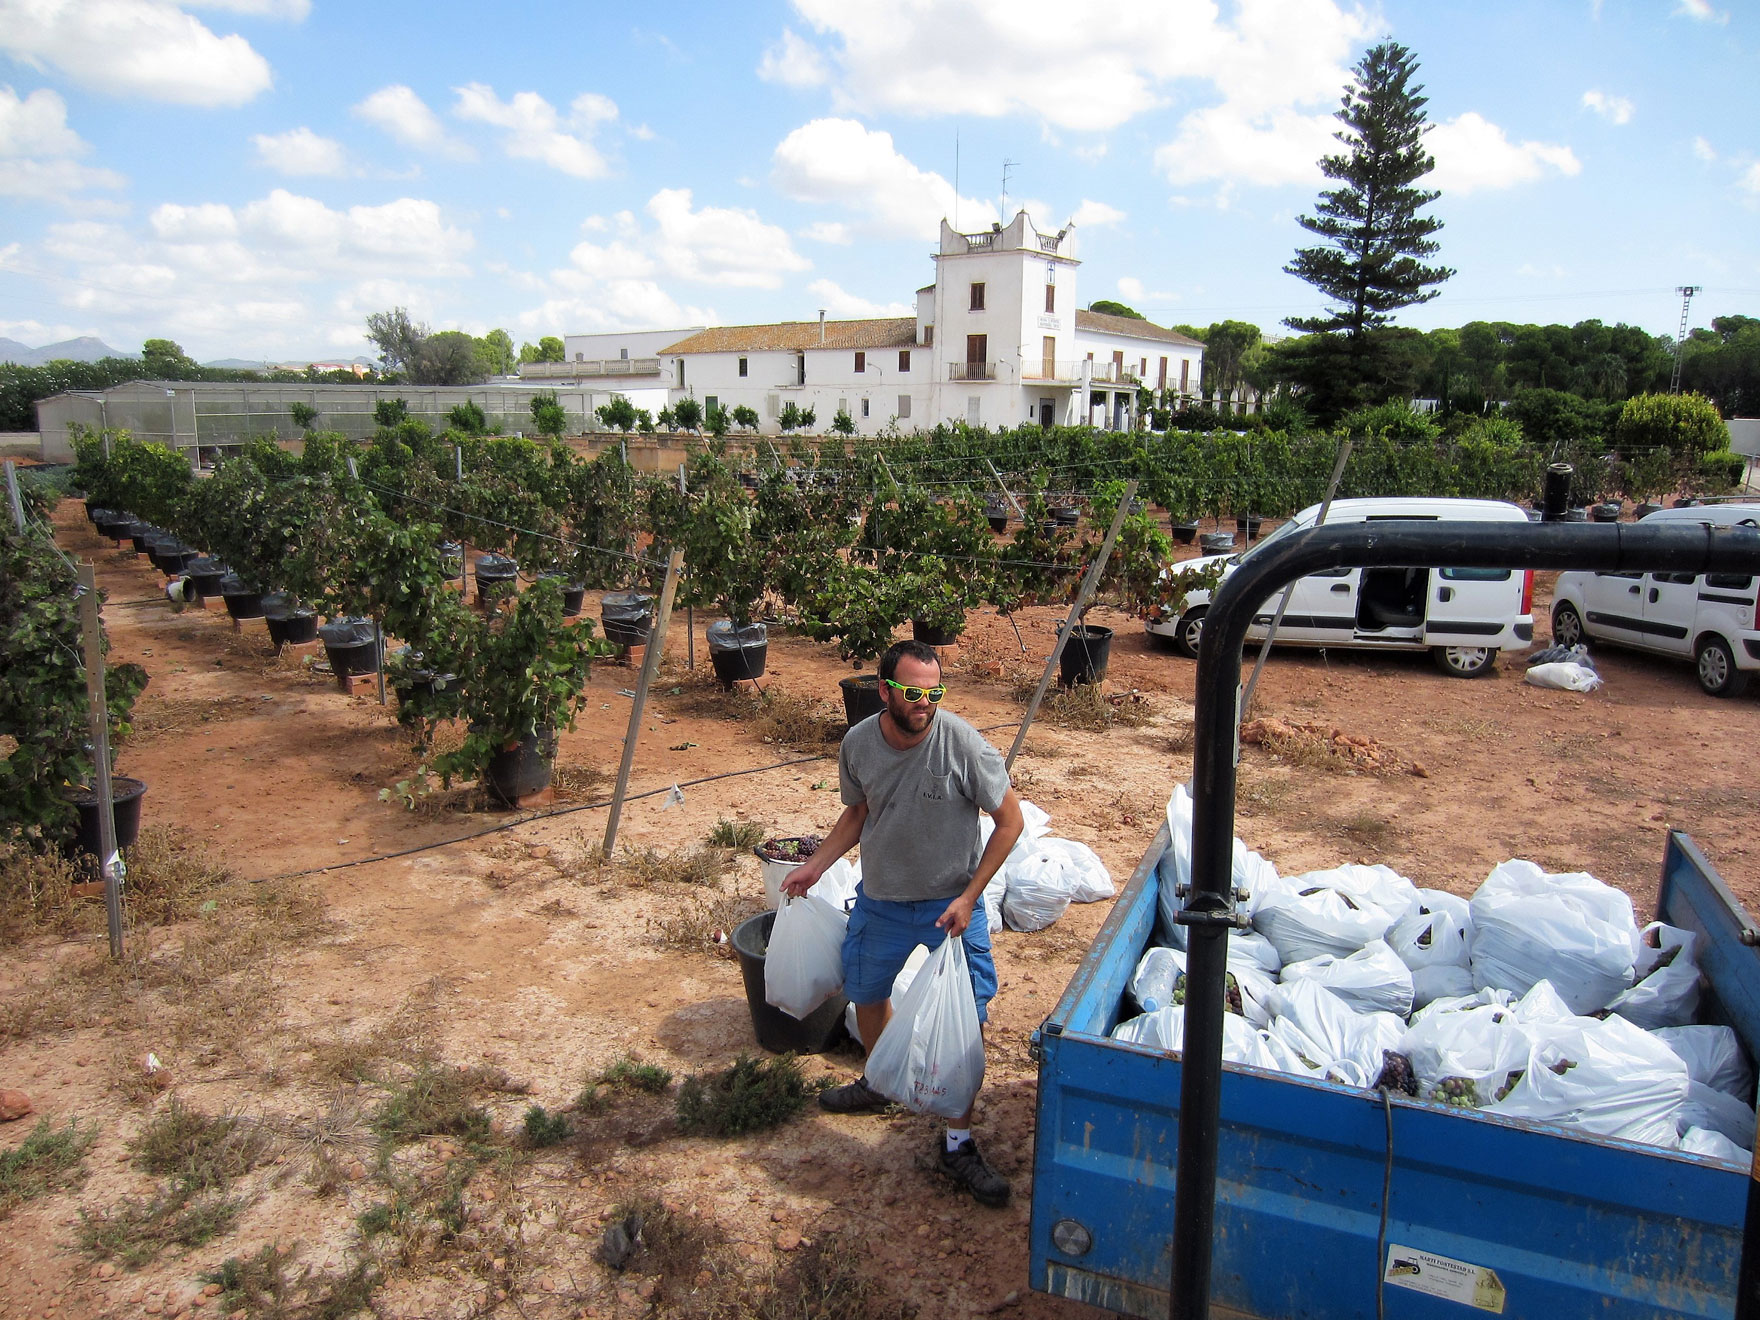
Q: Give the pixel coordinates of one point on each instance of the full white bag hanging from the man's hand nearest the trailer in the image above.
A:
(932, 1055)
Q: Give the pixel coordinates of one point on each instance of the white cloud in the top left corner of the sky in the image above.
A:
(143, 48)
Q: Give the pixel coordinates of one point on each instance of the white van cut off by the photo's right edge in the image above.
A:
(1706, 619)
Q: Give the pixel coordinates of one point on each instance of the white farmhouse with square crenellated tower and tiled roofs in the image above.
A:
(999, 341)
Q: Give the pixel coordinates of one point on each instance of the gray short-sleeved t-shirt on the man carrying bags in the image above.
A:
(921, 837)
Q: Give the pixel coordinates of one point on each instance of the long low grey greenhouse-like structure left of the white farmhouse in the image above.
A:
(219, 414)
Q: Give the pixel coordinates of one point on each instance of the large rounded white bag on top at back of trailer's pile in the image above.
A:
(1569, 928)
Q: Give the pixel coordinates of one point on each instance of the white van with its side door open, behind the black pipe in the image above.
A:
(1463, 617)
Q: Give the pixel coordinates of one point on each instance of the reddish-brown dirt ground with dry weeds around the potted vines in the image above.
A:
(513, 955)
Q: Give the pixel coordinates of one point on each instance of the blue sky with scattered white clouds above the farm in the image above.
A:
(254, 177)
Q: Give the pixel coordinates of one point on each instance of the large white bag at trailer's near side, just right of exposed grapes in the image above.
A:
(1608, 1078)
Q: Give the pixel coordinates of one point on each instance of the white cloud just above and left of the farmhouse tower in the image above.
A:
(840, 163)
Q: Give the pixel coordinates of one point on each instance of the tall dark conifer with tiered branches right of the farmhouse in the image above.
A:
(1370, 263)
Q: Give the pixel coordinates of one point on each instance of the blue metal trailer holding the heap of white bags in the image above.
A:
(1330, 1196)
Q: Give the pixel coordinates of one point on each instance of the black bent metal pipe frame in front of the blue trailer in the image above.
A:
(1210, 907)
